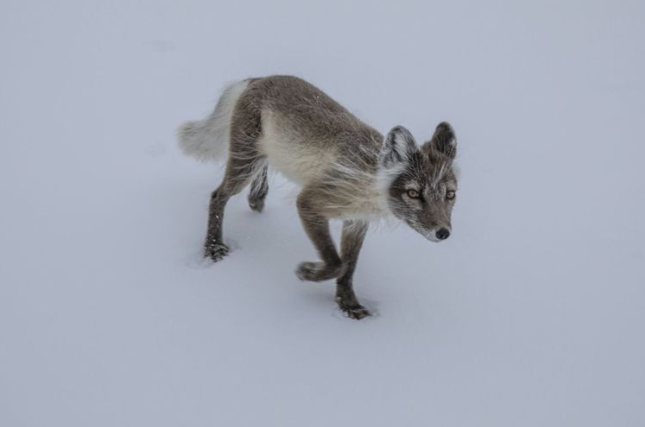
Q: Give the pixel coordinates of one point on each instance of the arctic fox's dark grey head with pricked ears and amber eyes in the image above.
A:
(423, 185)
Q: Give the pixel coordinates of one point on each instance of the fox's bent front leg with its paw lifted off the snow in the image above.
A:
(317, 228)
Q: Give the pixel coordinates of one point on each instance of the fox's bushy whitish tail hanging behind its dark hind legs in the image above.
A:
(208, 139)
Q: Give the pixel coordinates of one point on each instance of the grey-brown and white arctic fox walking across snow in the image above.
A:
(345, 168)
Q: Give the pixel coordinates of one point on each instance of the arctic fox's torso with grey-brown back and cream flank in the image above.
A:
(309, 137)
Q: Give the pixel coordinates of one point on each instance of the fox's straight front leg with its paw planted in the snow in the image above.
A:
(351, 243)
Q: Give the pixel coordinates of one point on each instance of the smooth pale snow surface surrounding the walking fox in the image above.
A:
(531, 314)
